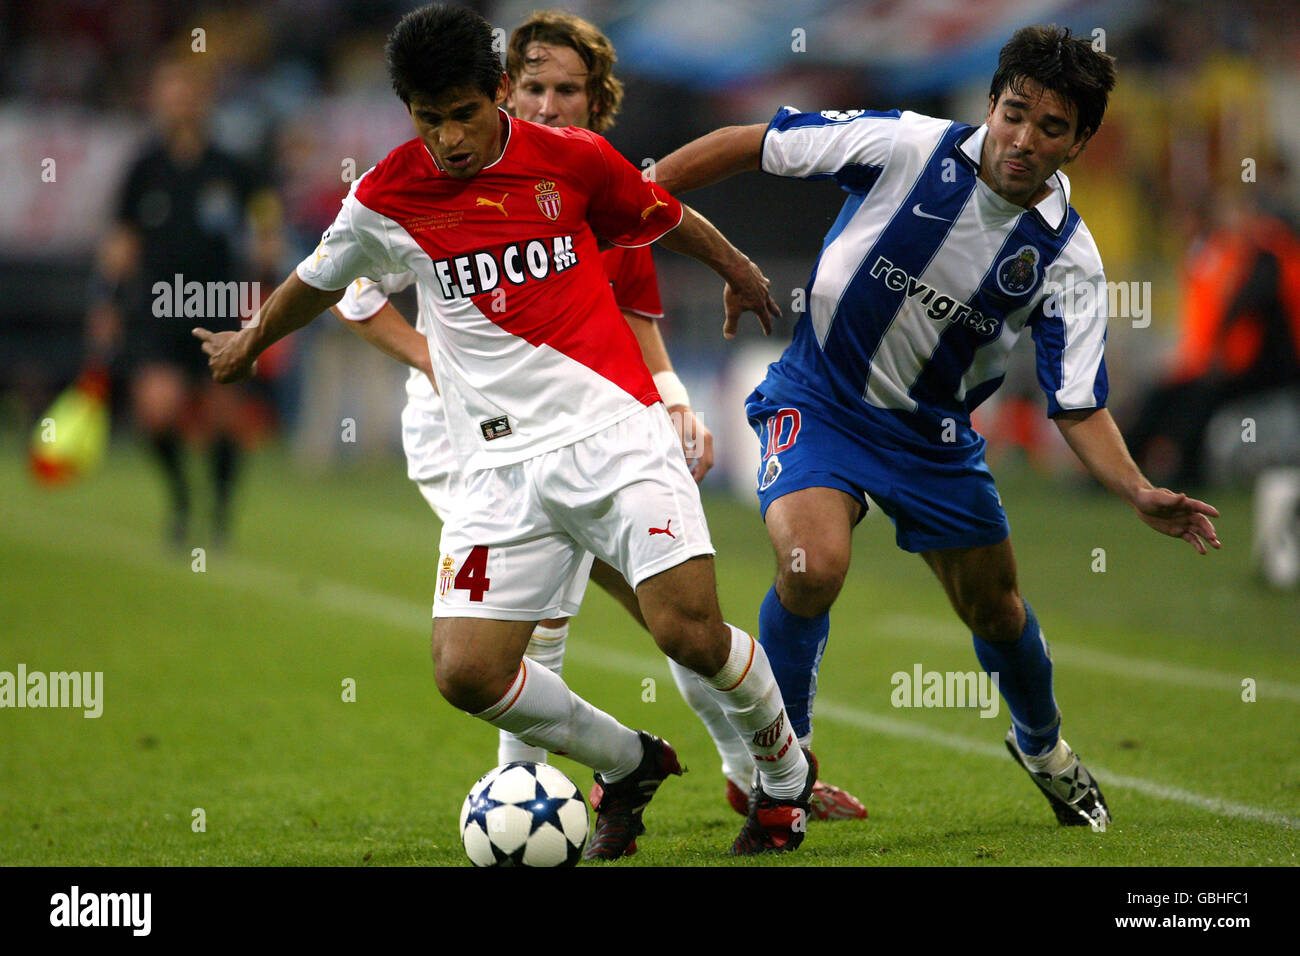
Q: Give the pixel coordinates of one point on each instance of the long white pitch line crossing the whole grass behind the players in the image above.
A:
(274, 582)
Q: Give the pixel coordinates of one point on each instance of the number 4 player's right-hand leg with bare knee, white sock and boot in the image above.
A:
(681, 608)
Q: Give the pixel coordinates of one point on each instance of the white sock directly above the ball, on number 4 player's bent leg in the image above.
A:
(543, 712)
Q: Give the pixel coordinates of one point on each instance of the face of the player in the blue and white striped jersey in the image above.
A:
(1030, 136)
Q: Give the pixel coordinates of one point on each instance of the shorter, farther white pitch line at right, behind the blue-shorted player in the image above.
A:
(946, 631)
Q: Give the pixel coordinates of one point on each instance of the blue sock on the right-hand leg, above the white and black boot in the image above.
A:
(1025, 678)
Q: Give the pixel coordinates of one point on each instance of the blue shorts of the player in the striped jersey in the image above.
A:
(937, 496)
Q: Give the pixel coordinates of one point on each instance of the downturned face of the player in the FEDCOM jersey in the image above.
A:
(461, 129)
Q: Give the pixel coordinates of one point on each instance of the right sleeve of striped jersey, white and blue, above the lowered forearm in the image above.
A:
(1071, 341)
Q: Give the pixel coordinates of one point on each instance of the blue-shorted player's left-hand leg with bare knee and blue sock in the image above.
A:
(812, 534)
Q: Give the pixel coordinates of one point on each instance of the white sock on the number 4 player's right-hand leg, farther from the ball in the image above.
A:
(747, 693)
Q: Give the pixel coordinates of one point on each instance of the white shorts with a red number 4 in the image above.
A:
(521, 533)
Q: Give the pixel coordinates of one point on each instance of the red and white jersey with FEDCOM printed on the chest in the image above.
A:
(534, 352)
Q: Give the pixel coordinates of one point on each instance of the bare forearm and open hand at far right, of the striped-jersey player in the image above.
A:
(1095, 439)
